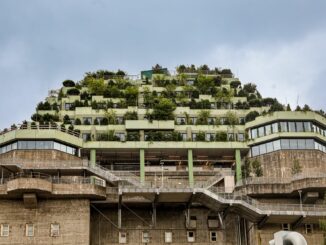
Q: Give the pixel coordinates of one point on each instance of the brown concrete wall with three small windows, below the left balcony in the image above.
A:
(73, 217)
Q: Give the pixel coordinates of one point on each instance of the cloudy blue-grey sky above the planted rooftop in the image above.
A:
(279, 45)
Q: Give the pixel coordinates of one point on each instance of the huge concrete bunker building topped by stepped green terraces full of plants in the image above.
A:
(194, 157)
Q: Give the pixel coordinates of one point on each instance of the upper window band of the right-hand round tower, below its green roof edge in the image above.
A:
(285, 127)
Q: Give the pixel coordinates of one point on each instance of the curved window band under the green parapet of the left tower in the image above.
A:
(38, 145)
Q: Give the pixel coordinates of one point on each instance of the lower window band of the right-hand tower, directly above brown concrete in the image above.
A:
(287, 144)
